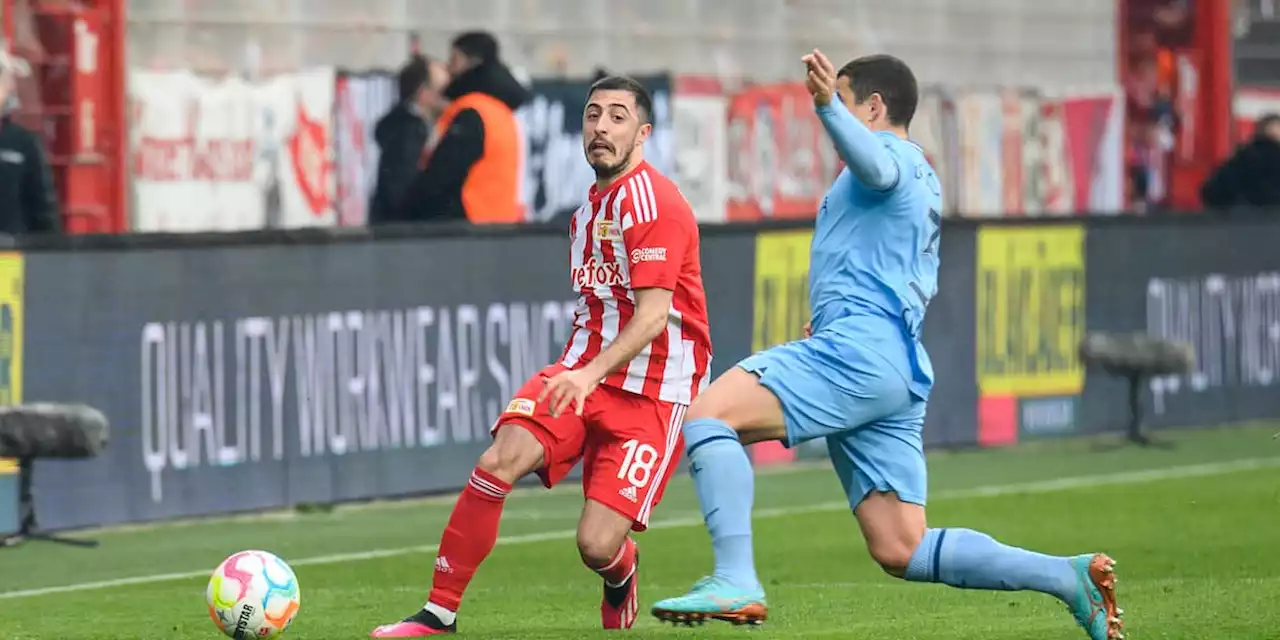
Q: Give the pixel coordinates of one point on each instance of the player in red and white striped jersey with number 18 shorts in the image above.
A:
(641, 353)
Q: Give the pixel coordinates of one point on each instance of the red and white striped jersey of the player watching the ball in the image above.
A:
(641, 234)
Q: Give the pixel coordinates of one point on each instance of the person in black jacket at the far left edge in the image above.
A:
(28, 200)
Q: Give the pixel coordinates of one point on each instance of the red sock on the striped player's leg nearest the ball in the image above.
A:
(470, 536)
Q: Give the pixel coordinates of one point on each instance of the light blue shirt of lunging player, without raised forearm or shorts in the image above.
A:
(876, 254)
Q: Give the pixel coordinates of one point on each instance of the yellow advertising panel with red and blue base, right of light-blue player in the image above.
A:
(1031, 321)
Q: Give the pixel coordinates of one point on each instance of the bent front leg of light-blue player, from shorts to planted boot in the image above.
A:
(784, 394)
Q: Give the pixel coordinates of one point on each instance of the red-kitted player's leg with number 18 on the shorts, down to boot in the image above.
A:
(632, 451)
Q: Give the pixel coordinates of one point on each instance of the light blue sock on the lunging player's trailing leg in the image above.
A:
(971, 560)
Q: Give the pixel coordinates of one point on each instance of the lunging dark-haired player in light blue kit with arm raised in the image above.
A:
(861, 380)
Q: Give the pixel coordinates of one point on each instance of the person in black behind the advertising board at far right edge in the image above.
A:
(1251, 177)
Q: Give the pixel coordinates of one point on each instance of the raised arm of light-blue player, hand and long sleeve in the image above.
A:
(860, 148)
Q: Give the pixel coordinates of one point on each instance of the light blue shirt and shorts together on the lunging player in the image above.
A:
(862, 381)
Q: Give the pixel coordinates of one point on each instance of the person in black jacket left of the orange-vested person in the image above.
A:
(403, 135)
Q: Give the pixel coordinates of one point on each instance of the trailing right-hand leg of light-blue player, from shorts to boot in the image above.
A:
(883, 470)
